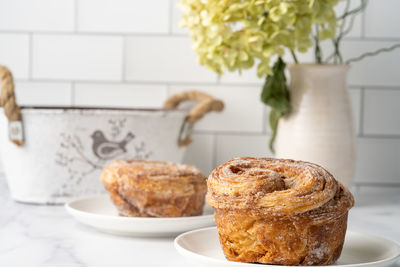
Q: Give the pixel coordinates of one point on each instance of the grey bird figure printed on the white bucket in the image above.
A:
(105, 149)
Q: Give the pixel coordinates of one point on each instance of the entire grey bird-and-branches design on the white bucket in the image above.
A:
(84, 152)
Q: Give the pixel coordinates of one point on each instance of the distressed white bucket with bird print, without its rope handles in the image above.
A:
(64, 149)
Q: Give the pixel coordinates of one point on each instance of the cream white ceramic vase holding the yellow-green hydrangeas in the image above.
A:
(320, 127)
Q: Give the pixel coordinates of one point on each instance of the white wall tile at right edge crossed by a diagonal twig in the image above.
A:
(381, 69)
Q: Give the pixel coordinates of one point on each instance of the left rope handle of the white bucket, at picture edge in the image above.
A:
(10, 107)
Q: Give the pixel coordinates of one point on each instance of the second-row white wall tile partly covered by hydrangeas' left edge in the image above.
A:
(164, 59)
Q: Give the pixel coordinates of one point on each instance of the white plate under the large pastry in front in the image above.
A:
(202, 248)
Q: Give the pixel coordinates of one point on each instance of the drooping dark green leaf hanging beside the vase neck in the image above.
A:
(276, 95)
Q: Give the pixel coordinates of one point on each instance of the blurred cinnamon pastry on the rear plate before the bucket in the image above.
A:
(142, 188)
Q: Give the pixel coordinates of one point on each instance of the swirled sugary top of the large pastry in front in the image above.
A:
(277, 187)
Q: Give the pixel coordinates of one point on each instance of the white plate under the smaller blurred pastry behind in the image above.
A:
(100, 213)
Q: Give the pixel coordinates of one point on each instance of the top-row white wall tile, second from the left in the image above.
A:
(123, 16)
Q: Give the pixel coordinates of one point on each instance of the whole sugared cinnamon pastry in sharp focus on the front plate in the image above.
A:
(278, 211)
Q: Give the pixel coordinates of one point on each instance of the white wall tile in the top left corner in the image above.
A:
(37, 15)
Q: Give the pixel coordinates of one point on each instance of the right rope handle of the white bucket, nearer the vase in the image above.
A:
(206, 103)
